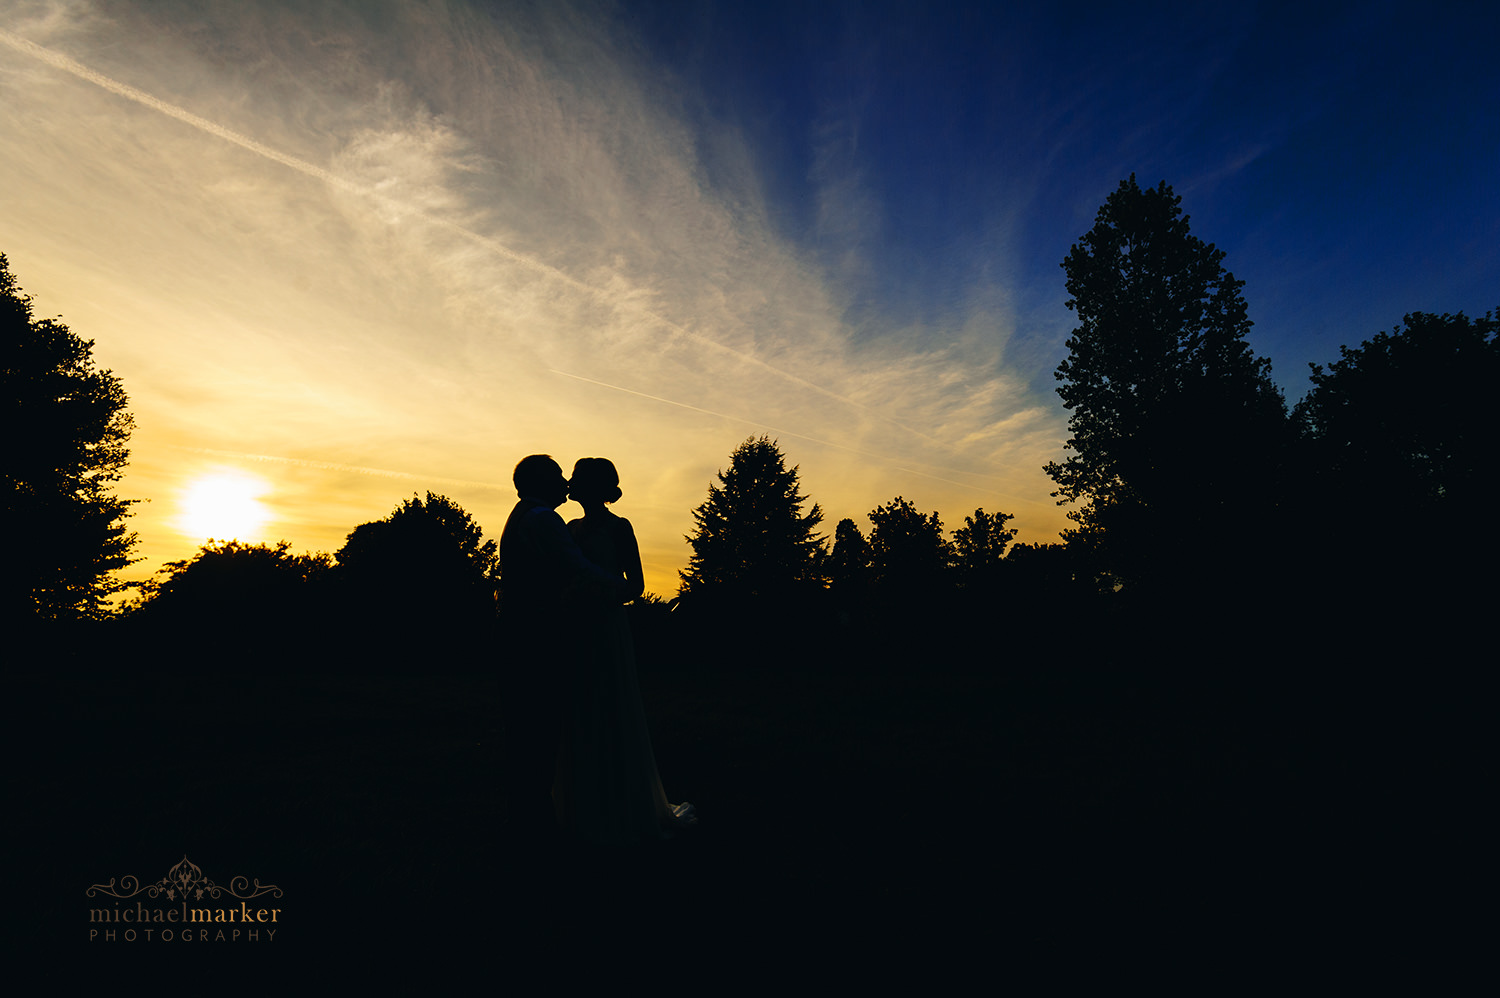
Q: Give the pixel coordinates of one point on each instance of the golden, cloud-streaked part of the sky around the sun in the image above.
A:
(340, 260)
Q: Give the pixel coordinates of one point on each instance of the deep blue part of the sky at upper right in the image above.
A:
(1345, 155)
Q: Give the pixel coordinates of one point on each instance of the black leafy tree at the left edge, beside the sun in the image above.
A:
(67, 451)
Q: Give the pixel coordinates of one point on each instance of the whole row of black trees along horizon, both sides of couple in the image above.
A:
(1186, 473)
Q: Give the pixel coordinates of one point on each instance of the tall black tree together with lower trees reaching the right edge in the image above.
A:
(1189, 476)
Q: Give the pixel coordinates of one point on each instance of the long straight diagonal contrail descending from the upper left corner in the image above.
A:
(311, 170)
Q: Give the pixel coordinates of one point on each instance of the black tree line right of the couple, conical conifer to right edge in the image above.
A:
(1189, 479)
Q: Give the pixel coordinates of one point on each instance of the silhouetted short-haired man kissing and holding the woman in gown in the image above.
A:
(544, 579)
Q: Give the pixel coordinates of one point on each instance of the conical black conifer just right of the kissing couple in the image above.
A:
(752, 537)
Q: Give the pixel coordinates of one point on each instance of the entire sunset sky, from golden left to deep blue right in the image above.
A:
(347, 251)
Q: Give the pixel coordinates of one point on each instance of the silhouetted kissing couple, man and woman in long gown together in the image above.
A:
(578, 748)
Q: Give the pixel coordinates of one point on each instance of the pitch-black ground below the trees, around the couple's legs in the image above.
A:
(866, 807)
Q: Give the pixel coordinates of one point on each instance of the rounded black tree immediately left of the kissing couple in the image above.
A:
(425, 565)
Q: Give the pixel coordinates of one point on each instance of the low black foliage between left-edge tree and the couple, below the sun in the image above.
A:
(412, 592)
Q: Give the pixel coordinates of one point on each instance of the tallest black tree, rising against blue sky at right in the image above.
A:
(1177, 427)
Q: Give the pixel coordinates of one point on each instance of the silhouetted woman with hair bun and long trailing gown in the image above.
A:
(607, 789)
